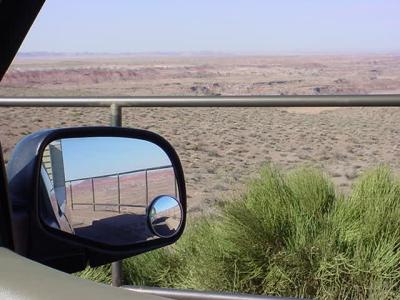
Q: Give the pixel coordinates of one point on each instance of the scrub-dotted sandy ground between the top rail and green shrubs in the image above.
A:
(220, 148)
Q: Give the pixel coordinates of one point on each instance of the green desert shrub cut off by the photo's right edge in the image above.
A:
(362, 257)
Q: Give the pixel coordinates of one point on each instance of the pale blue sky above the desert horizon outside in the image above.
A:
(228, 26)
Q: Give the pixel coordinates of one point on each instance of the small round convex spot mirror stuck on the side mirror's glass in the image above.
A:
(165, 216)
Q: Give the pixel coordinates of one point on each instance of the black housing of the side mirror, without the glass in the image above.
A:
(58, 249)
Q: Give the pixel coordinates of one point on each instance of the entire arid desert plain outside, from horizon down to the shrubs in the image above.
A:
(221, 148)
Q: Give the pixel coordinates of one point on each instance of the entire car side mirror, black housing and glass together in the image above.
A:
(94, 195)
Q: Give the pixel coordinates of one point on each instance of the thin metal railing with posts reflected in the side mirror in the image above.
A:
(117, 175)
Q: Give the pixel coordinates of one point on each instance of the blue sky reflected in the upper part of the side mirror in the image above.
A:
(97, 156)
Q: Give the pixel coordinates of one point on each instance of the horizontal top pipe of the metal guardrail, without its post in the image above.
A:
(220, 101)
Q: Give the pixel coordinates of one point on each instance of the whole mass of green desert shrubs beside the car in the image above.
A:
(289, 235)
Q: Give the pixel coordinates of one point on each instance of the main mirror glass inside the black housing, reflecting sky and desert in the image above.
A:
(101, 188)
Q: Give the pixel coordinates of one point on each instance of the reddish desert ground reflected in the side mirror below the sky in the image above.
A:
(136, 192)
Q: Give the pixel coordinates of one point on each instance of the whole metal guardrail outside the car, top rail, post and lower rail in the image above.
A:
(221, 101)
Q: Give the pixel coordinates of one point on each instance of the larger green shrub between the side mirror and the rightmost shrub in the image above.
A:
(267, 240)
